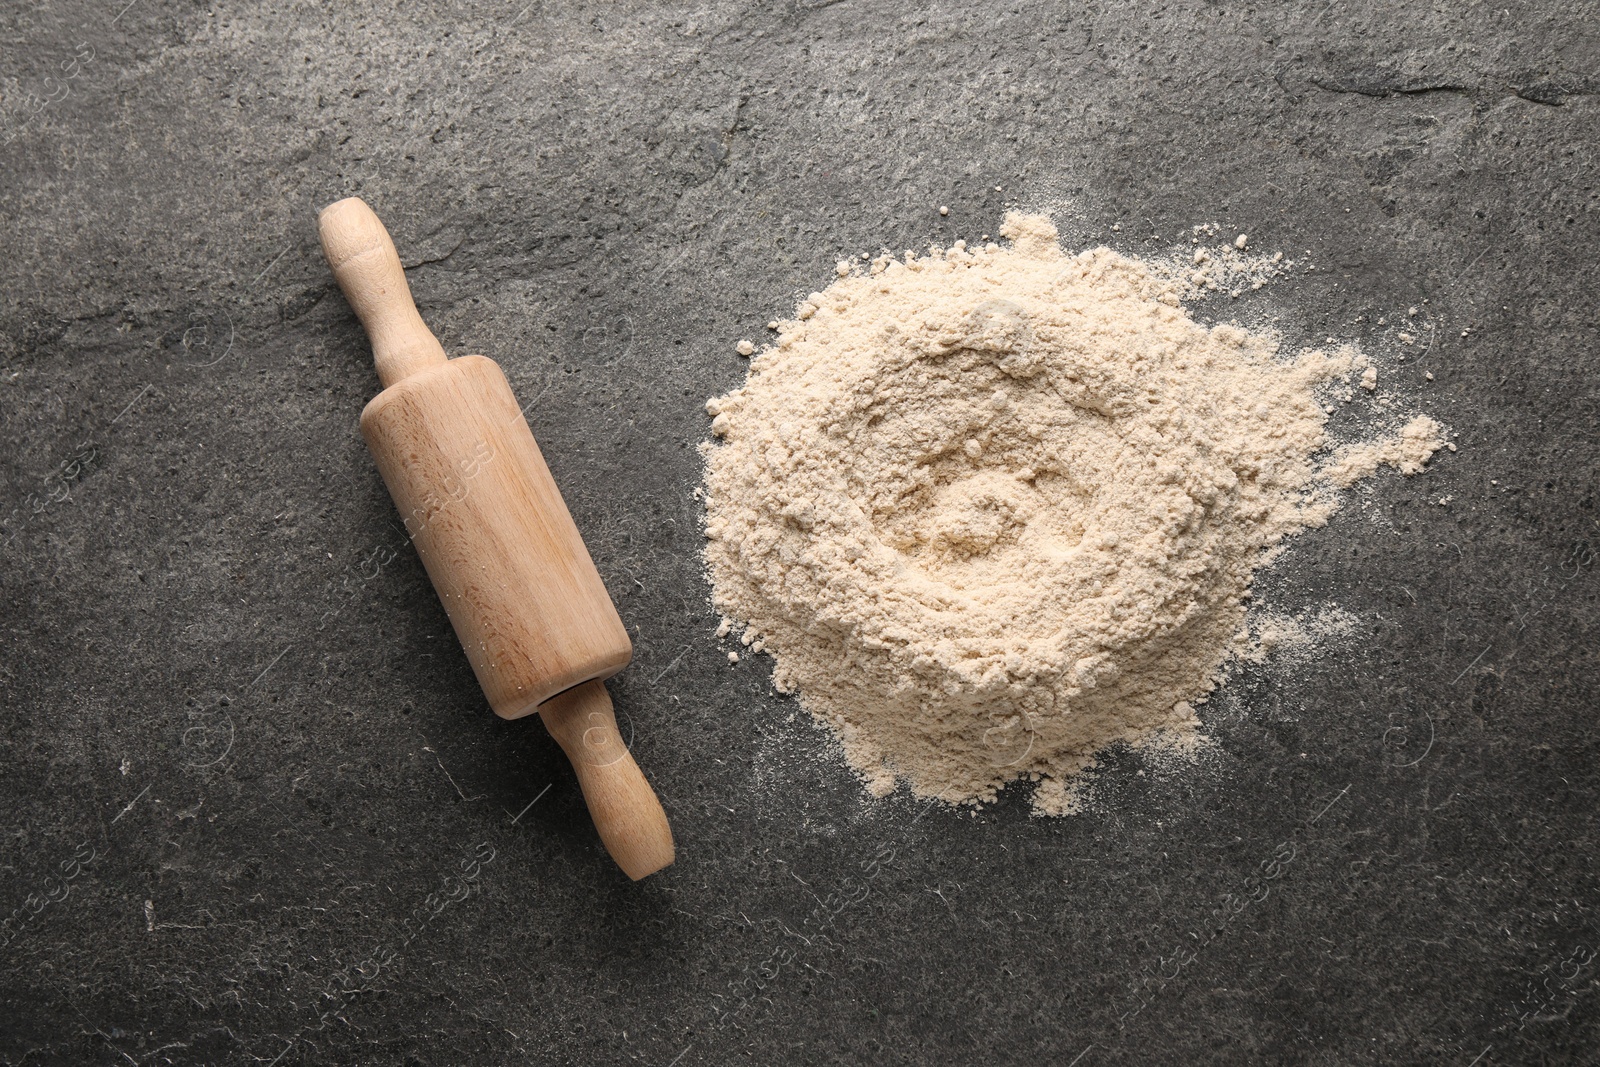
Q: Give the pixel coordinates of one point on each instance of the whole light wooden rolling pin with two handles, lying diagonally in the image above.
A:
(495, 537)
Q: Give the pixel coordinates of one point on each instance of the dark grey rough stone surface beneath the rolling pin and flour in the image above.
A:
(231, 693)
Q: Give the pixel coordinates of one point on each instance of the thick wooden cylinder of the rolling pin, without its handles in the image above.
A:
(495, 535)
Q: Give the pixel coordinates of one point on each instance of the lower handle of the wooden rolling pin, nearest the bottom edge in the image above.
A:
(625, 809)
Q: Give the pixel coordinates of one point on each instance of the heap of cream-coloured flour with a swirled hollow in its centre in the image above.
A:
(994, 510)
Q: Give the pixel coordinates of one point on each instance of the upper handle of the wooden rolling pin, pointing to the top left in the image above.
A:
(369, 270)
